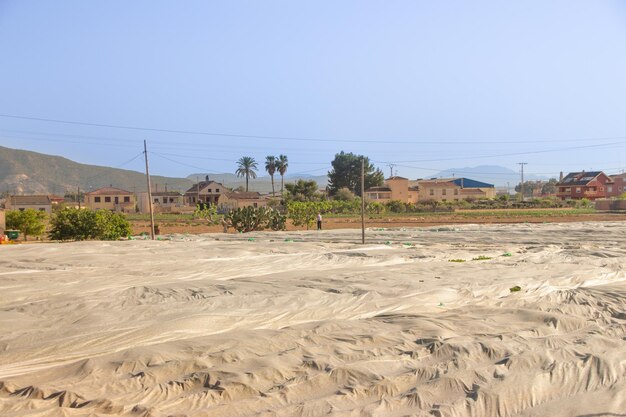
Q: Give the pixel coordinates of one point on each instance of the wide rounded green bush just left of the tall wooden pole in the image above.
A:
(83, 224)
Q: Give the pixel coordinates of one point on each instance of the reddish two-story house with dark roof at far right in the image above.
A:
(590, 185)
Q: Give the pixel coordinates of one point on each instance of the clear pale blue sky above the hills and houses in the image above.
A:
(417, 86)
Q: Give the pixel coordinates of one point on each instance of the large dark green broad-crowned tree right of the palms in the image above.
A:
(346, 173)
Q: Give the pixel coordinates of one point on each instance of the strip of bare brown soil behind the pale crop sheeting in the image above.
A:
(198, 227)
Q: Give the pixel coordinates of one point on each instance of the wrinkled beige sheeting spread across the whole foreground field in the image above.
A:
(315, 324)
